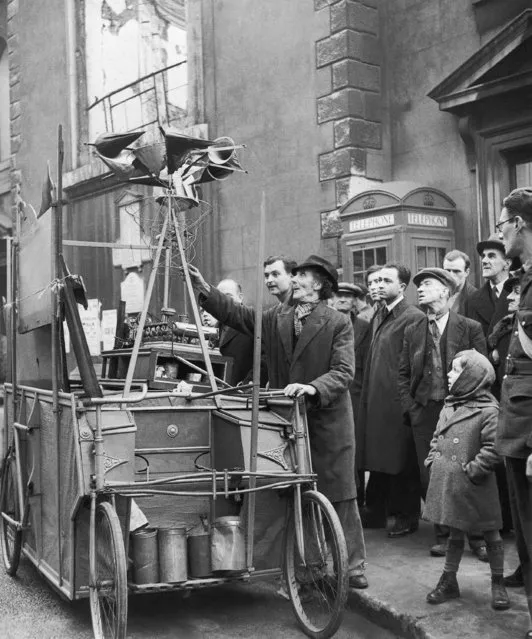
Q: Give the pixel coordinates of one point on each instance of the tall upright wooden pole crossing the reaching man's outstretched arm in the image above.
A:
(256, 387)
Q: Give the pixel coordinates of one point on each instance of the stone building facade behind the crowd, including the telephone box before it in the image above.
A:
(368, 124)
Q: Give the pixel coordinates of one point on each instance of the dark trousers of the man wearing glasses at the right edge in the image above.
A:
(520, 488)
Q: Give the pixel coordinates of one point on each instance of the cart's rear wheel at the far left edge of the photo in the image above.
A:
(11, 538)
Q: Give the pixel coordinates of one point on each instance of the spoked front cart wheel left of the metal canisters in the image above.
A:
(108, 596)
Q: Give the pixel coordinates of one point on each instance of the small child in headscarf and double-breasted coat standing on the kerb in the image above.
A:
(462, 491)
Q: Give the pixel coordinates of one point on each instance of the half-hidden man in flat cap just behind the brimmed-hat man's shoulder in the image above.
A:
(345, 300)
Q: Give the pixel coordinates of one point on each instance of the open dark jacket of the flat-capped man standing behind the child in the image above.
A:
(461, 334)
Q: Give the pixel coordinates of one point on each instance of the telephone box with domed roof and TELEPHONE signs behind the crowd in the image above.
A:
(396, 222)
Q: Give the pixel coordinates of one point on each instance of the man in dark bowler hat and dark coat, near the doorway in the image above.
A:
(482, 304)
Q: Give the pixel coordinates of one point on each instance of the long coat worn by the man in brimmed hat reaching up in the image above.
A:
(323, 356)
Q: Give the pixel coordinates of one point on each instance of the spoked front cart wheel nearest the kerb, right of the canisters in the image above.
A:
(318, 582)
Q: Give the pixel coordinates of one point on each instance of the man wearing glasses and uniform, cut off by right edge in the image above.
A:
(514, 434)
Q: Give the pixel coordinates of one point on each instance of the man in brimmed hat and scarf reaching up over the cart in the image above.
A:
(309, 351)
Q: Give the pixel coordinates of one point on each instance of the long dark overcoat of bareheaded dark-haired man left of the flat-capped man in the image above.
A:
(386, 435)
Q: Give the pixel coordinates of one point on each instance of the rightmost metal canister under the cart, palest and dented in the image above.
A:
(228, 545)
